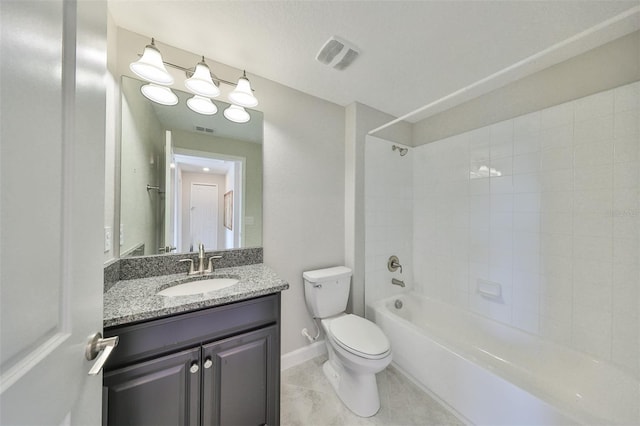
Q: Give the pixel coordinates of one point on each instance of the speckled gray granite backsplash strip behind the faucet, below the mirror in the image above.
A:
(150, 266)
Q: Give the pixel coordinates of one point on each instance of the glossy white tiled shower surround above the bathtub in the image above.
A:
(546, 205)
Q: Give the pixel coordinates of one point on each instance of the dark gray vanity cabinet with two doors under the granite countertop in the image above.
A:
(217, 366)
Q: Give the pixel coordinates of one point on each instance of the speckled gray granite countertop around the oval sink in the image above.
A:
(136, 300)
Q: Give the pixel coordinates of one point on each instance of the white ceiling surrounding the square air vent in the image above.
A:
(412, 53)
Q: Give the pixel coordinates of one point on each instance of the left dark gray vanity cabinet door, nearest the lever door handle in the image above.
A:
(163, 391)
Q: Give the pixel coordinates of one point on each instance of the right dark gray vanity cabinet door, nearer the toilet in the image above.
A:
(241, 379)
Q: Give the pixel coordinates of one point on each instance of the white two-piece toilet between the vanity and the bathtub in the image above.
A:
(357, 348)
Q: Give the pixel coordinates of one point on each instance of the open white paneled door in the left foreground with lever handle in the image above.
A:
(52, 109)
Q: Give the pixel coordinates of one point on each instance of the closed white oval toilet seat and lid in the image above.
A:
(359, 336)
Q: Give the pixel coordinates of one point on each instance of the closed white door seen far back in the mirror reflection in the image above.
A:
(204, 215)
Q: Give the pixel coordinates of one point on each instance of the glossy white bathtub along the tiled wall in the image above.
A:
(493, 374)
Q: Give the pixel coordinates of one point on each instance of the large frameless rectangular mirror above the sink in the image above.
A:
(187, 178)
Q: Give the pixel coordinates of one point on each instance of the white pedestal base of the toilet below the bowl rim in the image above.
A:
(359, 392)
